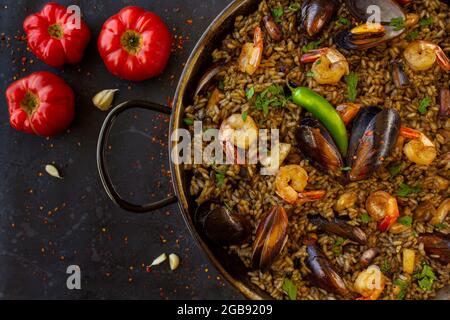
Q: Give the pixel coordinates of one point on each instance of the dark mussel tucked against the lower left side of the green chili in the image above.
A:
(317, 145)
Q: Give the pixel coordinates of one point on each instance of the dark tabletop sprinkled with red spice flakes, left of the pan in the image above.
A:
(48, 224)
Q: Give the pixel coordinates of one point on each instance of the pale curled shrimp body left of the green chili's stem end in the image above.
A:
(240, 133)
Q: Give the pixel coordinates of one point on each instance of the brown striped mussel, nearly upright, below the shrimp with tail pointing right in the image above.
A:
(271, 236)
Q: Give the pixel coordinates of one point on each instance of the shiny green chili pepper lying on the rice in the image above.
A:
(325, 112)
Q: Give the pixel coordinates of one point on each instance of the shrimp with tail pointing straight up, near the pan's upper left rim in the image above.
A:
(251, 53)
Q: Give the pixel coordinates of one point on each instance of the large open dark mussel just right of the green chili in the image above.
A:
(372, 141)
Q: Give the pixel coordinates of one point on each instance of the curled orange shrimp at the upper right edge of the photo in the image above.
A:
(421, 55)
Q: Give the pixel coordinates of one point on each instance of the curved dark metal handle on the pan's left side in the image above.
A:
(101, 158)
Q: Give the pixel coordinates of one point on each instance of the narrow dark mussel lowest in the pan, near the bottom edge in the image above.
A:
(323, 273)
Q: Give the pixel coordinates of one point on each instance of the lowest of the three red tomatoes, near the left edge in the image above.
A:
(41, 104)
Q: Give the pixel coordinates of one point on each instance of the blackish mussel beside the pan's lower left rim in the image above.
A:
(221, 225)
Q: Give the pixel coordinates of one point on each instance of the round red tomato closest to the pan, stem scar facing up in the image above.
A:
(135, 44)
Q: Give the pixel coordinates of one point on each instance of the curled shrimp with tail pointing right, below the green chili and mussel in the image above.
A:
(290, 182)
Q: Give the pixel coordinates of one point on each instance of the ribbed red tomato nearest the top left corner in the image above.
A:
(54, 37)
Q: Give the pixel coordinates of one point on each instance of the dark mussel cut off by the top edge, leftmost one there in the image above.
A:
(316, 14)
